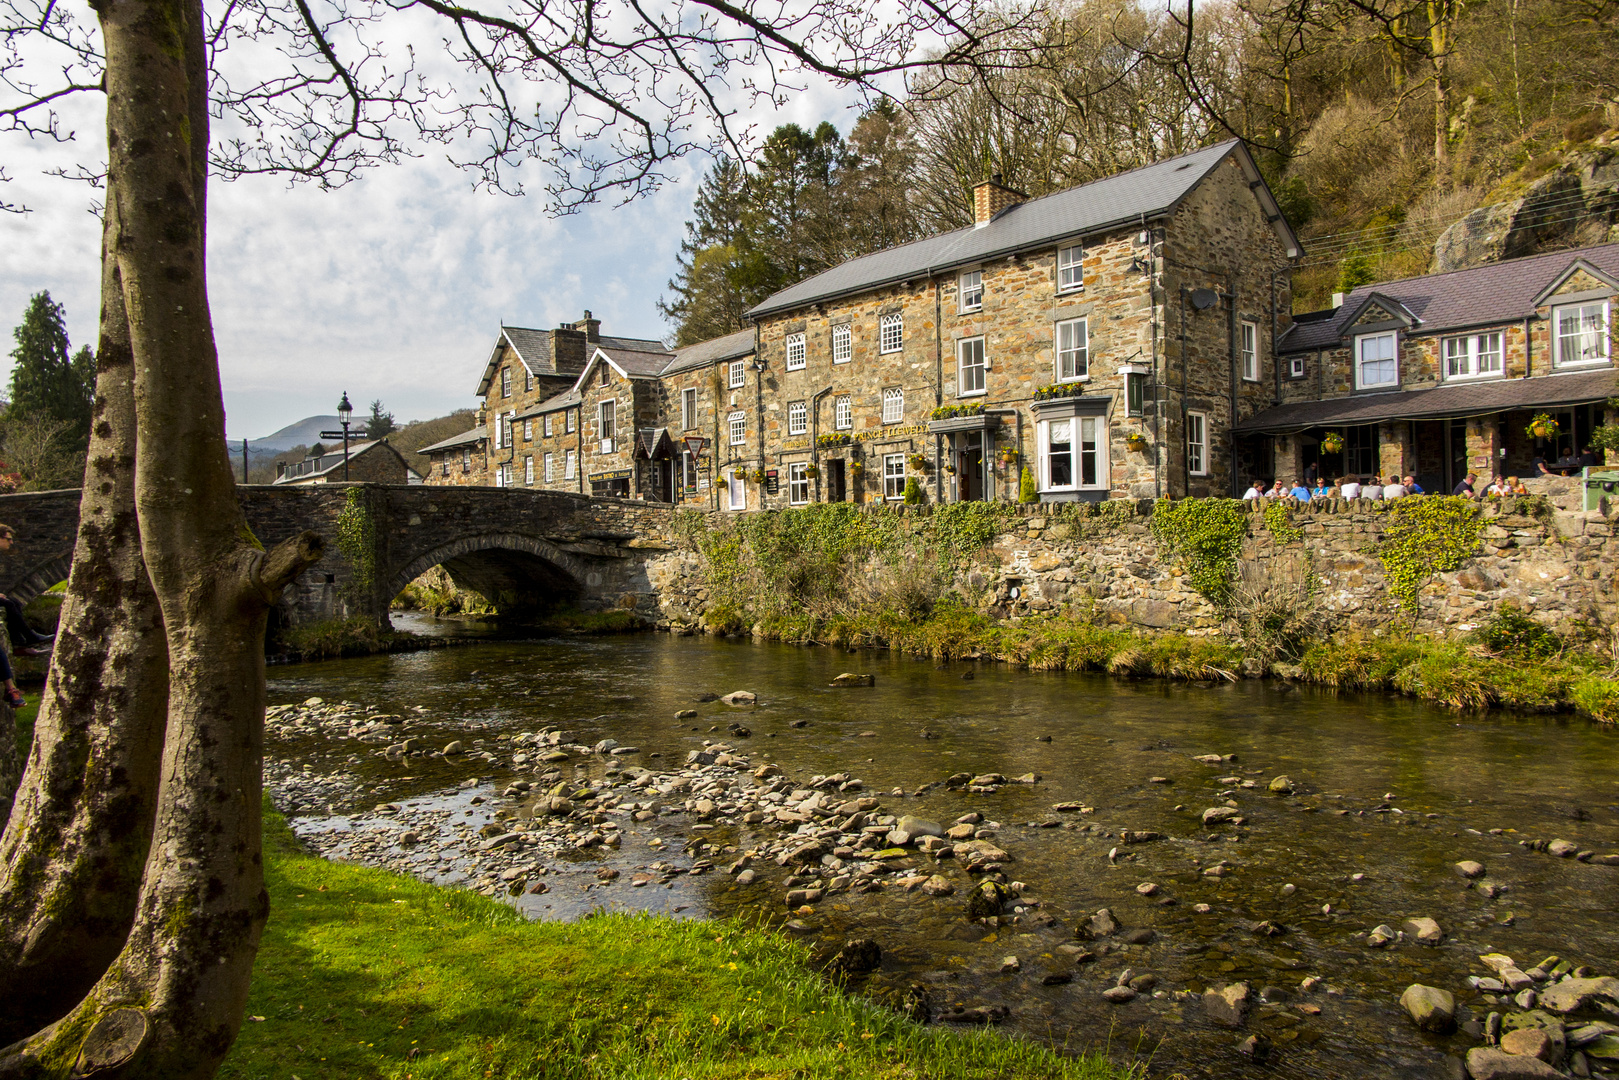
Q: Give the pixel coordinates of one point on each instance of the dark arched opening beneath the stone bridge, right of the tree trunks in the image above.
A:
(501, 564)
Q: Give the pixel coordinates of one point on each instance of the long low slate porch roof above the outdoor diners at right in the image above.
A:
(1455, 401)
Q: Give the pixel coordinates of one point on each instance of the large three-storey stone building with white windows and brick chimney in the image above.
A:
(1105, 338)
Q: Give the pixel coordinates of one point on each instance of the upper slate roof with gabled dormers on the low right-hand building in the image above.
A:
(1482, 296)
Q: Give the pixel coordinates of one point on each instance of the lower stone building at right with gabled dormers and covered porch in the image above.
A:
(1442, 375)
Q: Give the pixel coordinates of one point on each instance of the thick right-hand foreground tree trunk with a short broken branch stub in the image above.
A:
(172, 1001)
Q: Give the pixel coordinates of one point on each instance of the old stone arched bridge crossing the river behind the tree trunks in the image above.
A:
(538, 546)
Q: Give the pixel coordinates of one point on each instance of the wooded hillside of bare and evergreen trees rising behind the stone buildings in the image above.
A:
(1379, 124)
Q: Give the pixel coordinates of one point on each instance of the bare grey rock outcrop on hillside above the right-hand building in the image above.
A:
(1576, 205)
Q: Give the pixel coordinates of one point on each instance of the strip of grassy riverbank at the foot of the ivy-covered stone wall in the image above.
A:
(1505, 665)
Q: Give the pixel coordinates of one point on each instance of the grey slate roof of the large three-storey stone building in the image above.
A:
(1094, 208)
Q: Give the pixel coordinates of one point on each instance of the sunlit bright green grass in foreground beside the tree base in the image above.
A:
(370, 974)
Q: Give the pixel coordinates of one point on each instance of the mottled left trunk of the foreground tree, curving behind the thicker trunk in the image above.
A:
(74, 853)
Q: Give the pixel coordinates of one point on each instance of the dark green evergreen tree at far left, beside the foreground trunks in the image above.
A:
(46, 383)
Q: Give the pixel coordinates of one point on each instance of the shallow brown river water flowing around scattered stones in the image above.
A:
(1387, 789)
